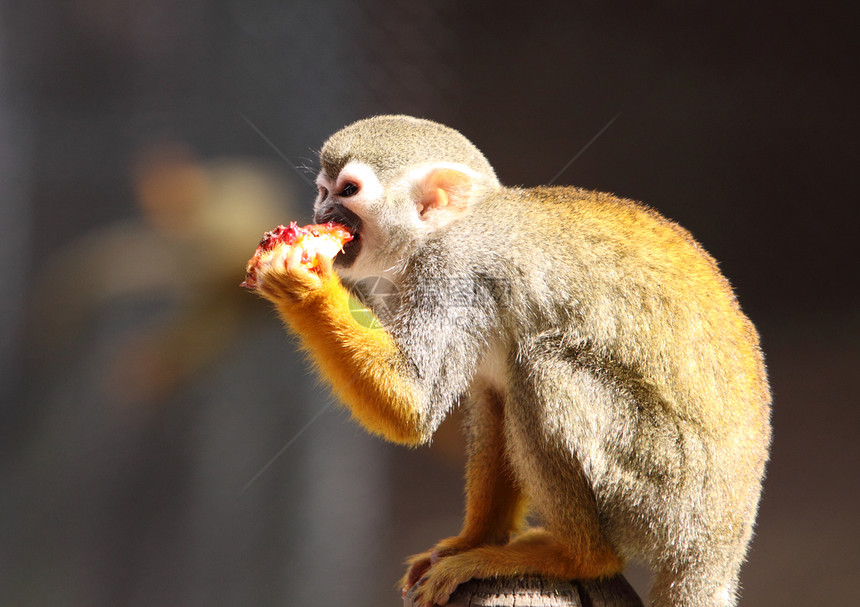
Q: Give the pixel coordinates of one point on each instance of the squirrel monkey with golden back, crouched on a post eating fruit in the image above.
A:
(613, 386)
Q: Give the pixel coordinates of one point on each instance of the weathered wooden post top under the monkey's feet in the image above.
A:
(536, 592)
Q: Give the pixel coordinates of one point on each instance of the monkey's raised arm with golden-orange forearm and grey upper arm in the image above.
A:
(398, 383)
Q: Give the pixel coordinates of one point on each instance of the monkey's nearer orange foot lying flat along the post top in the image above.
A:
(533, 553)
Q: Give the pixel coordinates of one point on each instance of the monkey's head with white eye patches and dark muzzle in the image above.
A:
(394, 180)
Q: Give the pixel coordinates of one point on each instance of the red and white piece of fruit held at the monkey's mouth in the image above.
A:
(325, 239)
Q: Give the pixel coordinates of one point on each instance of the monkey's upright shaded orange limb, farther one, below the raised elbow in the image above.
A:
(494, 502)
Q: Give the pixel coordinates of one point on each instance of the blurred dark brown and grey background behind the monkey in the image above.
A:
(162, 442)
